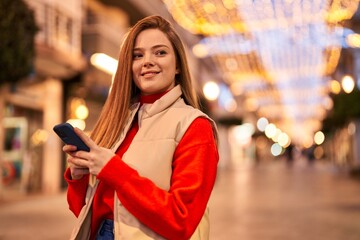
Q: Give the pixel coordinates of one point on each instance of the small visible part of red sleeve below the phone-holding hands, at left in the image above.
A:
(76, 192)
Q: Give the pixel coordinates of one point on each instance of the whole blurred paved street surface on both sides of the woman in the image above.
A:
(266, 202)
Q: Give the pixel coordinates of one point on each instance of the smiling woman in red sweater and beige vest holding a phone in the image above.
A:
(153, 154)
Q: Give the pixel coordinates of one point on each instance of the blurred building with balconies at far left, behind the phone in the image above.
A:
(32, 159)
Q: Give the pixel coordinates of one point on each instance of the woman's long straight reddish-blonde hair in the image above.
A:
(116, 108)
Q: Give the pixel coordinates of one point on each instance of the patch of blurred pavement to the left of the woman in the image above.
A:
(36, 217)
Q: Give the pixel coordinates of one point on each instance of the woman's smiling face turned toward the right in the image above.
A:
(154, 62)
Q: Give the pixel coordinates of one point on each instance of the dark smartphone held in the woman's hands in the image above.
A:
(66, 132)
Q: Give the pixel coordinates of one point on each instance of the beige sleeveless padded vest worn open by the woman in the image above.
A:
(161, 127)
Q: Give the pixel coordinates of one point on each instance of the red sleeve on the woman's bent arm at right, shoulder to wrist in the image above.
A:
(174, 214)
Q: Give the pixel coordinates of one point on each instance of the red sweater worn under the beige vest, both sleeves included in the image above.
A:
(194, 173)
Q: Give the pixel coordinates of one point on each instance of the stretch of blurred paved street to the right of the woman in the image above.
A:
(276, 202)
